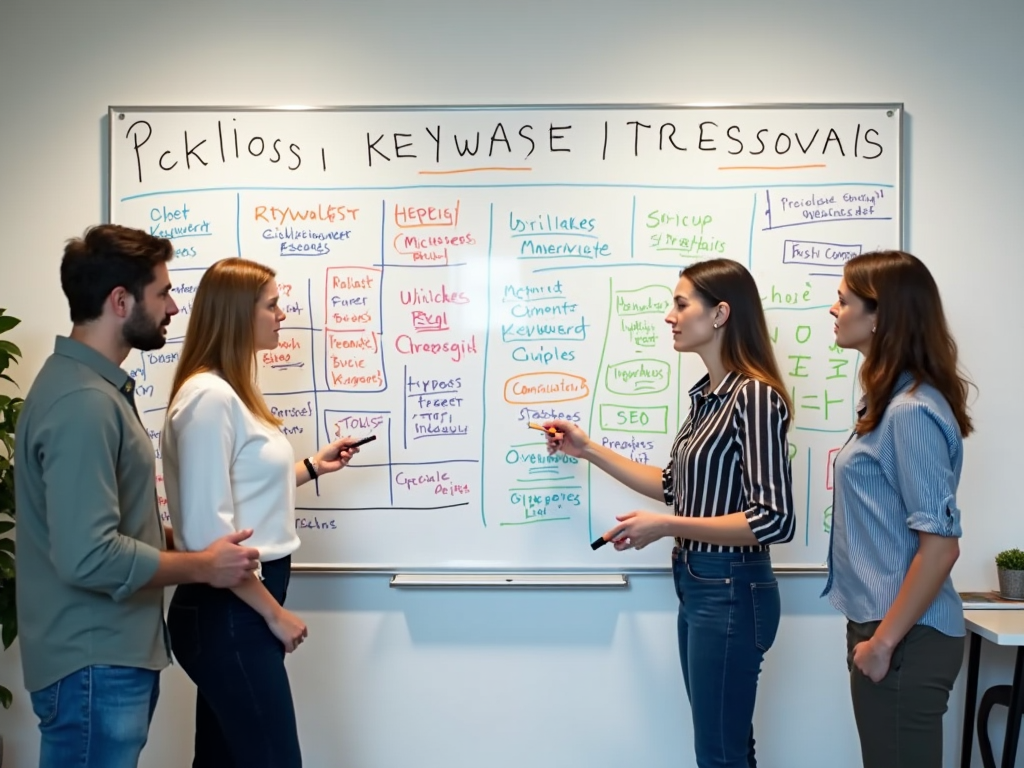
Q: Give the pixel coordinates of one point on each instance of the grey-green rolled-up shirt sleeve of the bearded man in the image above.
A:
(83, 514)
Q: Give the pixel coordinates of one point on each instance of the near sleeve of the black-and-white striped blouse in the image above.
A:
(762, 420)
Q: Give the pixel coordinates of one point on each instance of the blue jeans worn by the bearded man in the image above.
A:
(98, 717)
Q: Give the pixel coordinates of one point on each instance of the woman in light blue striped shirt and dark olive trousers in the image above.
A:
(895, 521)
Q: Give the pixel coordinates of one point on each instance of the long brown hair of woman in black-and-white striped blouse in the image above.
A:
(747, 346)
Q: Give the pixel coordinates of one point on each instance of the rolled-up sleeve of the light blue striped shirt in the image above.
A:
(925, 448)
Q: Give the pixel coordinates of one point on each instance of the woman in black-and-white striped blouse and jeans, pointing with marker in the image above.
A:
(730, 484)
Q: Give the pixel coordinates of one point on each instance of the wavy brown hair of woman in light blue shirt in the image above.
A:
(911, 335)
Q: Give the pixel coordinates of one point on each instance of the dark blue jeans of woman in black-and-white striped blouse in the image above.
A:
(729, 616)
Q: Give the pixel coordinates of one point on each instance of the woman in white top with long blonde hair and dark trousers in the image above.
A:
(228, 467)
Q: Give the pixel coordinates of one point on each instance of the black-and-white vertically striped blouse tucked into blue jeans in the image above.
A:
(732, 455)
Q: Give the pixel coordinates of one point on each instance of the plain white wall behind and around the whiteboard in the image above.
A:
(395, 679)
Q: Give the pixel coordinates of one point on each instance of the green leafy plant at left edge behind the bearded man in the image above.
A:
(10, 409)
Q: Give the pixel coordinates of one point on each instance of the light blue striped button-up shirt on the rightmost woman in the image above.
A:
(898, 481)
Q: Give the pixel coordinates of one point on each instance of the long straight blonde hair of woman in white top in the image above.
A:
(221, 336)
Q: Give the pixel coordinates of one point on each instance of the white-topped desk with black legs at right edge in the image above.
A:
(1002, 628)
